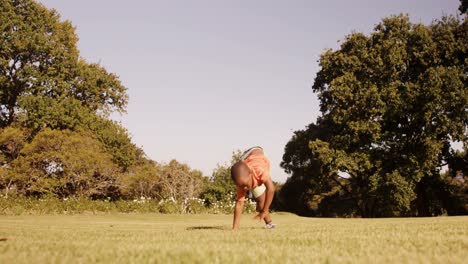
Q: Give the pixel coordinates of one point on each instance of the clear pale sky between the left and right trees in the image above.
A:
(208, 77)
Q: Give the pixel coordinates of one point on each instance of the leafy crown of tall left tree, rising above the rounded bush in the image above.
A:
(42, 76)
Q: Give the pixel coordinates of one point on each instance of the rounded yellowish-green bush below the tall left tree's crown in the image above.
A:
(64, 163)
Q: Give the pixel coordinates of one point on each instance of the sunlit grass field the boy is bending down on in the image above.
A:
(152, 238)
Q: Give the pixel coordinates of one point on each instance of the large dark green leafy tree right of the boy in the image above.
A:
(391, 103)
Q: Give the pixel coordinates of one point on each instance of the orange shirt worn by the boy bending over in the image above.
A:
(259, 166)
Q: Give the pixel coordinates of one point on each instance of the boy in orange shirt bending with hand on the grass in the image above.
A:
(252, 173)
